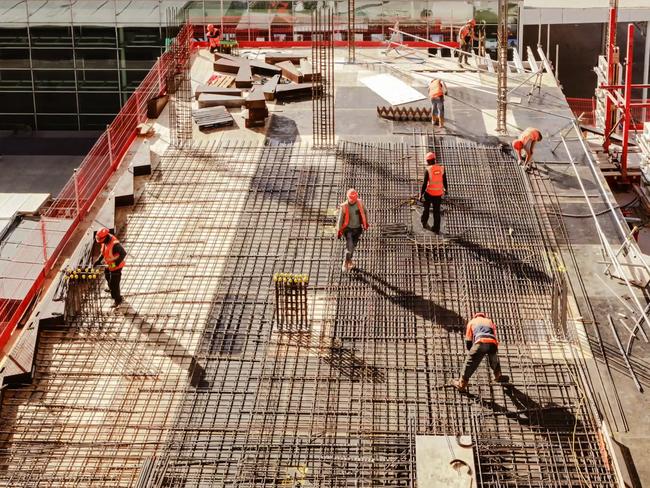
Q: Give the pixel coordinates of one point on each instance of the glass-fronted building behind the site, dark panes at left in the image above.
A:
(71, 64)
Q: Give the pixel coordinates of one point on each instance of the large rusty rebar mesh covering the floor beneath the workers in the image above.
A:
(338, 404)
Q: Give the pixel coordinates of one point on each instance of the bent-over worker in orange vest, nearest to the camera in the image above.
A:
(480, 340)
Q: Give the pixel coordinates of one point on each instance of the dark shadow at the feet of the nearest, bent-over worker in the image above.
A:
(551, 417)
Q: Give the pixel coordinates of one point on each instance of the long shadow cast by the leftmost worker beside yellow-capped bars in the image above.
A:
(170, 346)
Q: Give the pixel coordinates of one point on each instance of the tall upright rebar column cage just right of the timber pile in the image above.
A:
(322, 50)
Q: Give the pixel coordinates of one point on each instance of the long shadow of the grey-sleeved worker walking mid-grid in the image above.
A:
(420, 306)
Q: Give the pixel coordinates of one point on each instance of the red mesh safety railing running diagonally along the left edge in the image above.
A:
(79, 193)
